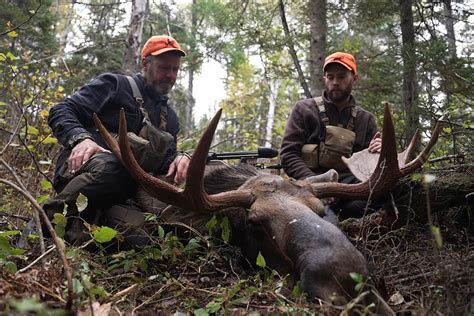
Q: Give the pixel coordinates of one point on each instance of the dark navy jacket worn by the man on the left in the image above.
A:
(106, 95)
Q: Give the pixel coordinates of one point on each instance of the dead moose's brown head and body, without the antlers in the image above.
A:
(285, 224)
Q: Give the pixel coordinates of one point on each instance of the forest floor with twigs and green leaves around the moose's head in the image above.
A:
(415, 271)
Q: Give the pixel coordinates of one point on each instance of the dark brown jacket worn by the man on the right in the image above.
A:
(304, 126)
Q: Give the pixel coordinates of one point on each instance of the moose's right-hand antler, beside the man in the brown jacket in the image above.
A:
(387, 170)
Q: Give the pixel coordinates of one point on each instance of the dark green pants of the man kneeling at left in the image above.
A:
(108, 188)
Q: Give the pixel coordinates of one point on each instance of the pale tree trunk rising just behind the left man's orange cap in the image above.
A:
(131, 59)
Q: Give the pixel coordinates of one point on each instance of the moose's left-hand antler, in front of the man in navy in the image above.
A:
(193, 195)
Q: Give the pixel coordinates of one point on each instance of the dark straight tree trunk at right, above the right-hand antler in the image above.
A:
(410, 86)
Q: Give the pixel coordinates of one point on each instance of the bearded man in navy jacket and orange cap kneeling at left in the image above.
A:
(86, 166)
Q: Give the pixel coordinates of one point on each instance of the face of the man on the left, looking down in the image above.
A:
(160, 72)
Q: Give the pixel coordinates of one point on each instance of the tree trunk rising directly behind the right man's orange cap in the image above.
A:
(318, 30)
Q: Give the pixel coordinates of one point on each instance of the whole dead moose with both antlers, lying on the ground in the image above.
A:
(284, 219)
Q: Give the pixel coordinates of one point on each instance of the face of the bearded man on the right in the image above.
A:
(338, 81)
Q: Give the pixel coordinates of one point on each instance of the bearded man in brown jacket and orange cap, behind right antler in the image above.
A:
(321, 130)
